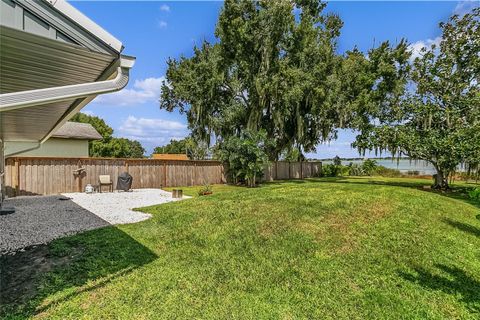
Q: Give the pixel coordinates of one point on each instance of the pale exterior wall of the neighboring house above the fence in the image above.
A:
(54, 147)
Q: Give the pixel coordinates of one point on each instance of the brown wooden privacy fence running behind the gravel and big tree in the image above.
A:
(43, 176)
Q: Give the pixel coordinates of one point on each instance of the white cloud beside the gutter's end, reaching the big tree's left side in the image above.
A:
(143, 91)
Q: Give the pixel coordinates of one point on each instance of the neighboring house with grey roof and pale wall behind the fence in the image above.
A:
(69, 141)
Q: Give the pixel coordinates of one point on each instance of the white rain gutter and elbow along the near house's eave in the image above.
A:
(24, 99)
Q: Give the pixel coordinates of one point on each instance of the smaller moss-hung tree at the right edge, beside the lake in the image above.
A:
(436, 117)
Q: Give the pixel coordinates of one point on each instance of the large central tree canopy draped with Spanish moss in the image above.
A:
(273, 68)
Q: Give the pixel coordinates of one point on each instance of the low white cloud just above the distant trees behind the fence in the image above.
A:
(152, 132)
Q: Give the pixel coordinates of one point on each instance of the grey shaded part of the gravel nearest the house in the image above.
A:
(40, 219)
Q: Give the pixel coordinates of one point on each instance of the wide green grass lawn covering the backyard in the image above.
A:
(343, 248)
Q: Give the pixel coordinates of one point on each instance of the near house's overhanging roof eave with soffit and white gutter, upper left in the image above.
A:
(53, 61)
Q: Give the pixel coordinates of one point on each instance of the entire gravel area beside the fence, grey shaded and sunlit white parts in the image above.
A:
(40, 219)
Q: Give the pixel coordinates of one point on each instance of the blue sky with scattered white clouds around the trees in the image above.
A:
(154, 31)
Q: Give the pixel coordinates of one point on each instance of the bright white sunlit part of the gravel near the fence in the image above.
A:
(115, 207)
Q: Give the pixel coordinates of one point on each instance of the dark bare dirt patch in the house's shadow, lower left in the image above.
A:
(22, 270)
